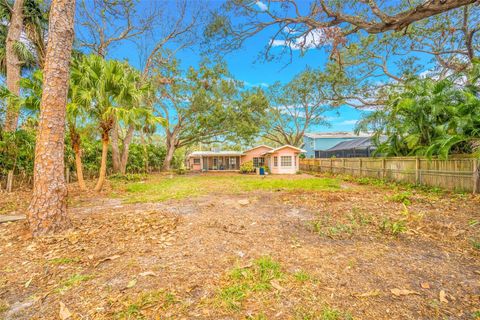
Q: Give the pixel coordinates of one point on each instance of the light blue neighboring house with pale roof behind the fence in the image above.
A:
(321, 141)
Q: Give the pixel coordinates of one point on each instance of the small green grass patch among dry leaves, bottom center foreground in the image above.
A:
(245, 281)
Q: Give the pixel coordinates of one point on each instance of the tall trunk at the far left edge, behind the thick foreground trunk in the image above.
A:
(13, 63)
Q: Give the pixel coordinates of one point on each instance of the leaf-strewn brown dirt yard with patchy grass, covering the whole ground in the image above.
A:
(262, 251)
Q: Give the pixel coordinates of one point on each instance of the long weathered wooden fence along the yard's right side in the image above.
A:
(455, 174)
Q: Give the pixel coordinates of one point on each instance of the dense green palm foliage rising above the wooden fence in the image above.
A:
(428, 117)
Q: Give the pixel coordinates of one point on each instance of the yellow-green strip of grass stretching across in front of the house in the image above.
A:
(164, 187)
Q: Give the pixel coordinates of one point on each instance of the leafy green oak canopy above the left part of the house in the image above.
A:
(213, 107)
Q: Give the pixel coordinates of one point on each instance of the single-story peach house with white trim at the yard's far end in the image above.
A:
(282, 160)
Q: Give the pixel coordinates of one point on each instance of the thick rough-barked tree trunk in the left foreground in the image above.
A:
(47, 211)
